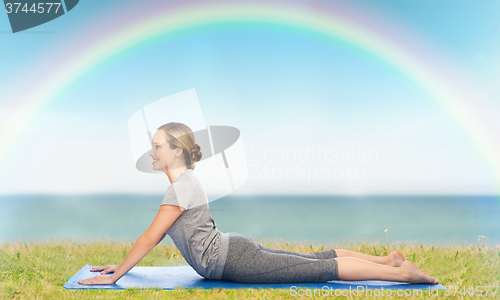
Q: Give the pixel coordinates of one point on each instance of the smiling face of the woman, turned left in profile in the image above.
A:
(161, 151)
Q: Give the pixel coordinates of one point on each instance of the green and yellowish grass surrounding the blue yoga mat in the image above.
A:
(39, 270)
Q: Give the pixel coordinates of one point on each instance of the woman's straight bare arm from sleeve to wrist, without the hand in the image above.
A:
(149, 239)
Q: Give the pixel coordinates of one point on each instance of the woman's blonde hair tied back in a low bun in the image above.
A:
(181, 136)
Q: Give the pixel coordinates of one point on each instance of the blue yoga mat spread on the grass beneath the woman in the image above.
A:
(170, 277)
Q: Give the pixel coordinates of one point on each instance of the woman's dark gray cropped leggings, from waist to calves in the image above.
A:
(249, 262)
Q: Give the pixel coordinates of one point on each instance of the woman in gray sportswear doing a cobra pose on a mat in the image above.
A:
(185, 217)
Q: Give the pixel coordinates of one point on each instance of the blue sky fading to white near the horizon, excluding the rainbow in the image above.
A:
(282, 88)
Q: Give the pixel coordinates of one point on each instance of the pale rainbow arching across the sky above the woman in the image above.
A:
(160, 21)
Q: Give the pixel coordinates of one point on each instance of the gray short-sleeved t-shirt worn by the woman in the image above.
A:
(194, 233)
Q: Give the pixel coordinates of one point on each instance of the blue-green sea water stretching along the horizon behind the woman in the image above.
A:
(320, 220)
